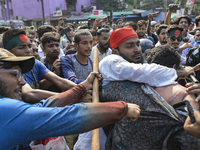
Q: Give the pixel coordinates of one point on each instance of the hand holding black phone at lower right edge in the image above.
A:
(193, 128)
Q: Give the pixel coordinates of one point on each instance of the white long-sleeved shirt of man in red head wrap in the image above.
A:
(116, 68)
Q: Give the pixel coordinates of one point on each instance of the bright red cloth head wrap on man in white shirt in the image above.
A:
(120, 35)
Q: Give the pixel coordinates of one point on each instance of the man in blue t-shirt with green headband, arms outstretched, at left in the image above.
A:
(17, 42)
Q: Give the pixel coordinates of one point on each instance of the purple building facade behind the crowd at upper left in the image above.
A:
(31, 11)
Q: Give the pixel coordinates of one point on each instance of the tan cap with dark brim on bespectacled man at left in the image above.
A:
(26, 63)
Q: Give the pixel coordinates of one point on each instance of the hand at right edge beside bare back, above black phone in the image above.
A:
(193, 88)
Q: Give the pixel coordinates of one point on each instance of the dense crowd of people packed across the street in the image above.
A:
(148, 99)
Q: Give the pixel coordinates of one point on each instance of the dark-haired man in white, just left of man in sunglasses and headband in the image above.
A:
(162, 35)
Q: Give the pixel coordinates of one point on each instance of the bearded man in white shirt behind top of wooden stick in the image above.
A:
(103, 45)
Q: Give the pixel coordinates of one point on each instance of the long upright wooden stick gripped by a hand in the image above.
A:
(95, 97)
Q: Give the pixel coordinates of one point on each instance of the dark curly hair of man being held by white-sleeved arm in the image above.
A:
(164, 55)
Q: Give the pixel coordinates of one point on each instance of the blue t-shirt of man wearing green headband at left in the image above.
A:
(34, 76)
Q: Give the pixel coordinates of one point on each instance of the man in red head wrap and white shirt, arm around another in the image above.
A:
(126, 62)
